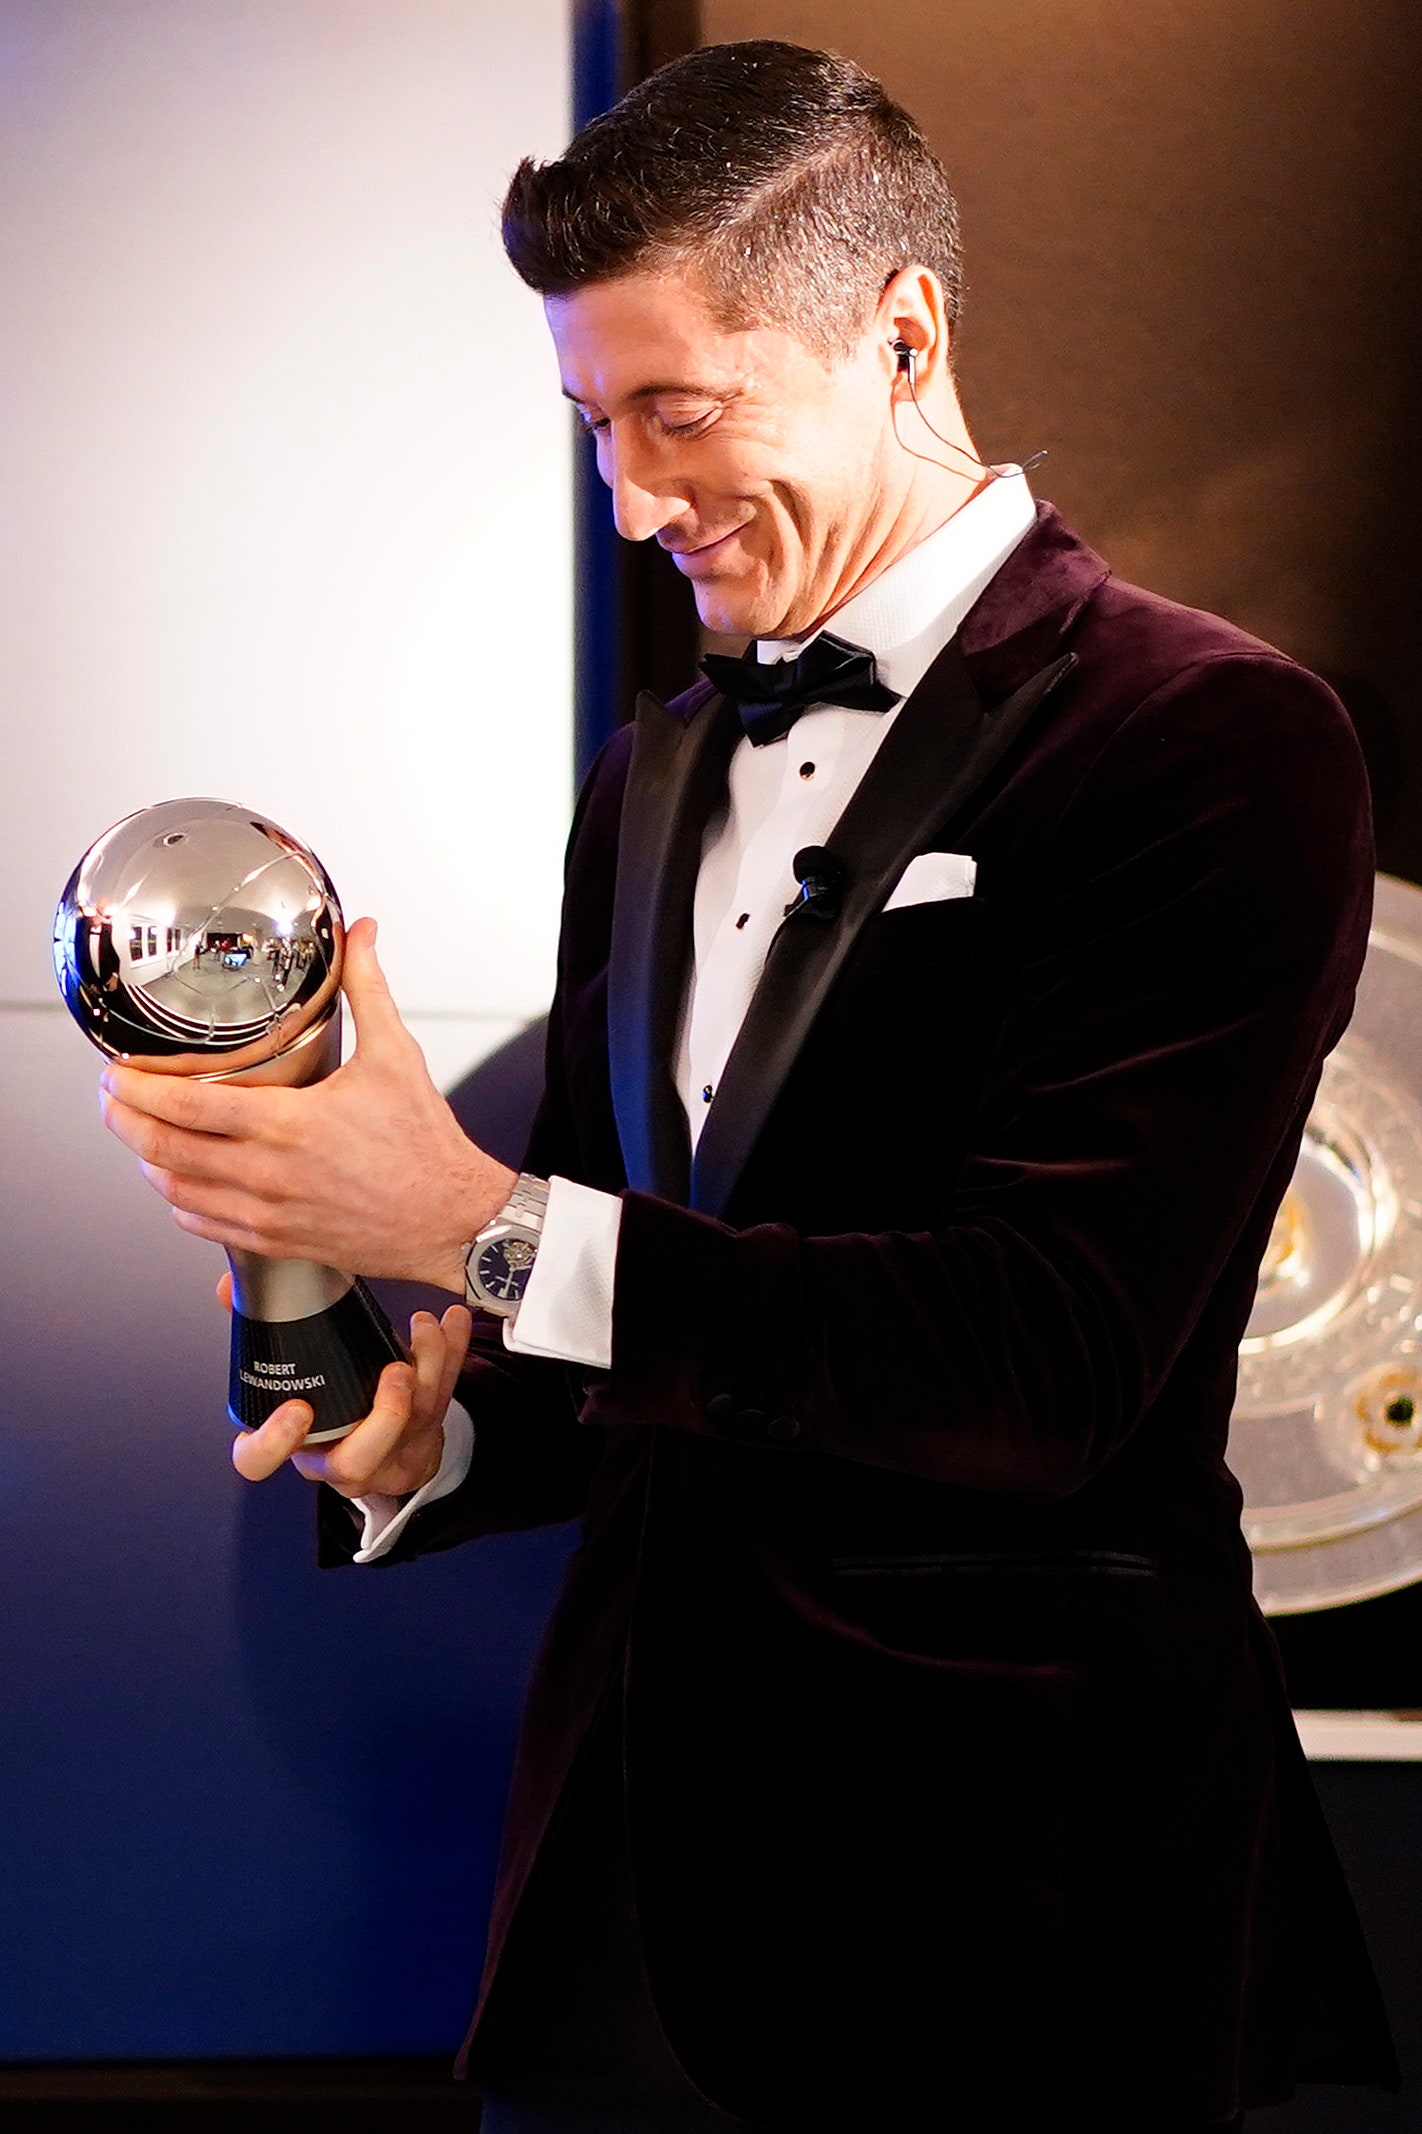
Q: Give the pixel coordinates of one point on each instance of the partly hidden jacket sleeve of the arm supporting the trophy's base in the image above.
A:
(533, 1461)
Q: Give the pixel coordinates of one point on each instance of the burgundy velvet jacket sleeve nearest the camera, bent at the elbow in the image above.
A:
(1190, 959)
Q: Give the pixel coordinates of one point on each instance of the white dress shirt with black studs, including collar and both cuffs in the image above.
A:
(780, 797)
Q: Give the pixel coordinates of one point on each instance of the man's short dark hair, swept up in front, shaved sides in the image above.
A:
(787, 178)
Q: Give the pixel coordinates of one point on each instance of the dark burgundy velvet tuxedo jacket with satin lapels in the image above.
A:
(958, 1759)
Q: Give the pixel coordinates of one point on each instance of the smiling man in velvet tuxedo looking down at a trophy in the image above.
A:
(941, 1002)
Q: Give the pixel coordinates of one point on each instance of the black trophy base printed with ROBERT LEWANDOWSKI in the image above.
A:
(332, 1360)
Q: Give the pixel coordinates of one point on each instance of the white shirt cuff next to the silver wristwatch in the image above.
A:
(567, 1309)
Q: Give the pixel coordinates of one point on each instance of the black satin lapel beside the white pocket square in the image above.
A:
(936, 754)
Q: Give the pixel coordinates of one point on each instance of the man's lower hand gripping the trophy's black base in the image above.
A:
(398, 1446)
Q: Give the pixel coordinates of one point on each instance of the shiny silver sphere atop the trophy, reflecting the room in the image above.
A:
(197, 938)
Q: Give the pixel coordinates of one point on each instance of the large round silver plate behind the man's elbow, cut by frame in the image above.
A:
(1327, 1429)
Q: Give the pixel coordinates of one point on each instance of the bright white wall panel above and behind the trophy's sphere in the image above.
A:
(285, 462)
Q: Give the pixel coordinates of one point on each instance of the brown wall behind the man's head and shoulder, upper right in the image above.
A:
(1195, 259)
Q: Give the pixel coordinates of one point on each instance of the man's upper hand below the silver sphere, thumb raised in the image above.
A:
(366, 1170)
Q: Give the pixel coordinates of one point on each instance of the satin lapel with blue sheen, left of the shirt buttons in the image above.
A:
(676, 780)
